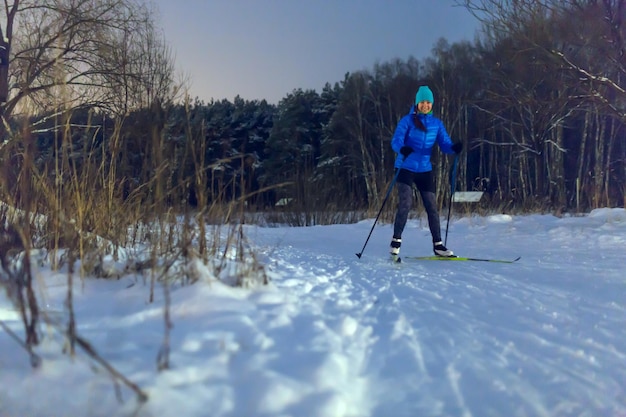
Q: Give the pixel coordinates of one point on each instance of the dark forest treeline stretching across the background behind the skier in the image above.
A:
(538, 100)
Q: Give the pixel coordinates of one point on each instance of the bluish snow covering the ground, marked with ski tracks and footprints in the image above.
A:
(334, 335)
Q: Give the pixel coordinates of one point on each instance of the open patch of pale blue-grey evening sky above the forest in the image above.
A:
(263, 49)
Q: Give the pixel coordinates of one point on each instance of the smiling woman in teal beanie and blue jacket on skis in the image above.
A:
(413, 140)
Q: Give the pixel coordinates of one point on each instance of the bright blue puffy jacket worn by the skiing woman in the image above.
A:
(421, 142)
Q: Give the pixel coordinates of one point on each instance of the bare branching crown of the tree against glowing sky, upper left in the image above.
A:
(63, 53)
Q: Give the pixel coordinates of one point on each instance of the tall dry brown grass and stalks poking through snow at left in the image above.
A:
(70, 210)
